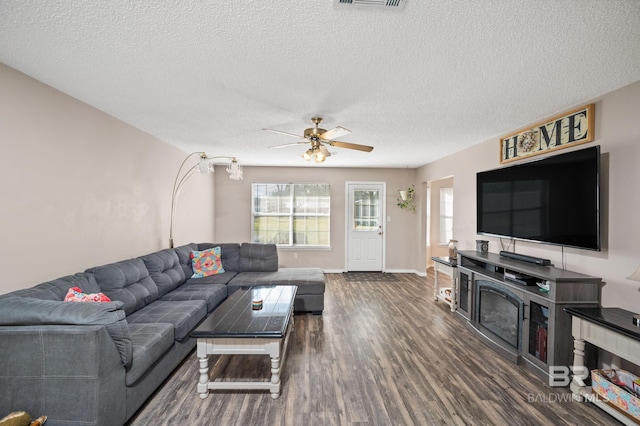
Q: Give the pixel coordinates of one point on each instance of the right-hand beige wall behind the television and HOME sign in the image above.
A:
(618, 134)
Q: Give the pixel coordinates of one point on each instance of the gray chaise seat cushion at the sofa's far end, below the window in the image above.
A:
(308, 280)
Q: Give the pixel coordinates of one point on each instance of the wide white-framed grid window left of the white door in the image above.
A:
(291, 214)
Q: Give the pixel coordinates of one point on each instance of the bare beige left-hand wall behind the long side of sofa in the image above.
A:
(81, 189)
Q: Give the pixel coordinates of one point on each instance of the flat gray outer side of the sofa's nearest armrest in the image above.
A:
(73, 374)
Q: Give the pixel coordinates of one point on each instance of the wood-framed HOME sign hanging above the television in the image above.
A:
(568, 129)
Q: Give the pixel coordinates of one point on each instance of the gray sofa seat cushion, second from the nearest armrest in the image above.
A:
(184, 315)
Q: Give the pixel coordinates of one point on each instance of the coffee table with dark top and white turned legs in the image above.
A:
(235, 328)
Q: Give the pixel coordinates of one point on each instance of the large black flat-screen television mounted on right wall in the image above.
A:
(555, 200)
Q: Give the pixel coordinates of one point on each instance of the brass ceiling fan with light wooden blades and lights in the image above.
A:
(319, 138)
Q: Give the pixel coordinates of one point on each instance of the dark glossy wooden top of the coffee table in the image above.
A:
(236, 318)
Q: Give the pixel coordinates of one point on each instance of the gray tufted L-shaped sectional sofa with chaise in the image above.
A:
(97, 363)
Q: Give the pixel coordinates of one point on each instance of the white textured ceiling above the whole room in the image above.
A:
(417, 84)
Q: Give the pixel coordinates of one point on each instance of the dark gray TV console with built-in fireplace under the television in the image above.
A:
(533, 328)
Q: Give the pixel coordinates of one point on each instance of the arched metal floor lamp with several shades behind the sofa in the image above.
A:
(204, 165)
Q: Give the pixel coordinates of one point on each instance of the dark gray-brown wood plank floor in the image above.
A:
(382, 353)
